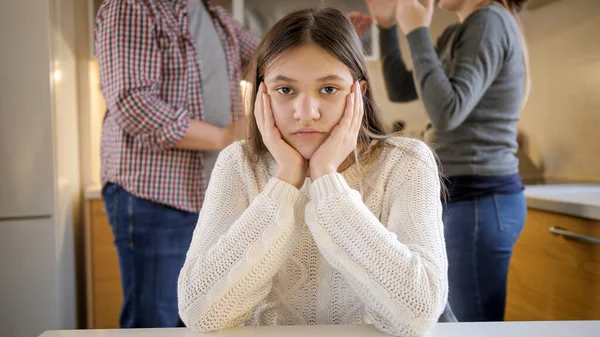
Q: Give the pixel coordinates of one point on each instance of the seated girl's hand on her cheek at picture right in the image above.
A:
(342, 139)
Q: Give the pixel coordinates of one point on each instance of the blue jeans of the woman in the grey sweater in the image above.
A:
(480, 235)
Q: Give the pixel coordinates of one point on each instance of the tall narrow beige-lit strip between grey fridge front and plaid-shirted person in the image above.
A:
(66, 145)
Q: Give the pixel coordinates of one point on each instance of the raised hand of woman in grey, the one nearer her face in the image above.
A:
(411, 14)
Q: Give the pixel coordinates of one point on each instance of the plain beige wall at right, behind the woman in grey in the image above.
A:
(562, 119)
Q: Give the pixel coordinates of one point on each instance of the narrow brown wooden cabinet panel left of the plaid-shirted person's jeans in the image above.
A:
(107, 296)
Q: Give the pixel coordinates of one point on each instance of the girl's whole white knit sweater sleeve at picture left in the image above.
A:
(238, 245)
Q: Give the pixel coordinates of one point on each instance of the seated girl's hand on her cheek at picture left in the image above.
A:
(291, 166)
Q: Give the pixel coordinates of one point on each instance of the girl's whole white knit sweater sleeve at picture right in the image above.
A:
(398, 269)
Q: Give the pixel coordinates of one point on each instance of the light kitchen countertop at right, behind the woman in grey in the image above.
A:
(581, 200)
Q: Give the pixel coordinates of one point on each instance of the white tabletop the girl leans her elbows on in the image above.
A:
(496, 329)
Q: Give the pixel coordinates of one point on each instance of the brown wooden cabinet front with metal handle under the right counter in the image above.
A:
(550, 277)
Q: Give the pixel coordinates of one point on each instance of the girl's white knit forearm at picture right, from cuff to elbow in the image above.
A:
(402, 286)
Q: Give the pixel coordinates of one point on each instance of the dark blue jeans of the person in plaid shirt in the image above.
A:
(152, 241)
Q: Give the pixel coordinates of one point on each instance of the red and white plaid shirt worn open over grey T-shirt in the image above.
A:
(150, 79)
